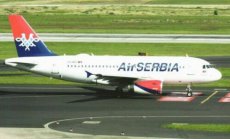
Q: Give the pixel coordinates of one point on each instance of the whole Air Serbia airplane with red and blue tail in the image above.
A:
(138, 74)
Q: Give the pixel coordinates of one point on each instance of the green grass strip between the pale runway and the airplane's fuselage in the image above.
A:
(7, 49)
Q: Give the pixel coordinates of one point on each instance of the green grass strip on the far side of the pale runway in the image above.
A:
(150, 24)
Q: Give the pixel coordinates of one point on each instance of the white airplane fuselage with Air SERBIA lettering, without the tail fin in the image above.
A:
(170, 70)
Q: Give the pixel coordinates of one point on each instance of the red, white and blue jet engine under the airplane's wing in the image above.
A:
(147, 87)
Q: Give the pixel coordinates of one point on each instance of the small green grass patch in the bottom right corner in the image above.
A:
(199, 127)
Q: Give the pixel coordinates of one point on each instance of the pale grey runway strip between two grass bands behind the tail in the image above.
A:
(127, 38)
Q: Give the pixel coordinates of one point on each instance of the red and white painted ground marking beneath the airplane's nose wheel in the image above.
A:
(175, 99)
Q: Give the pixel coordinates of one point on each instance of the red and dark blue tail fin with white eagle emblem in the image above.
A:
(26, 40)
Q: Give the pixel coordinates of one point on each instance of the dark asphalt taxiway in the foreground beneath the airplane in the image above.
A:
(96, 112)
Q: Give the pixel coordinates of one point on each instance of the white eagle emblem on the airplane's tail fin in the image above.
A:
(27, 43)
